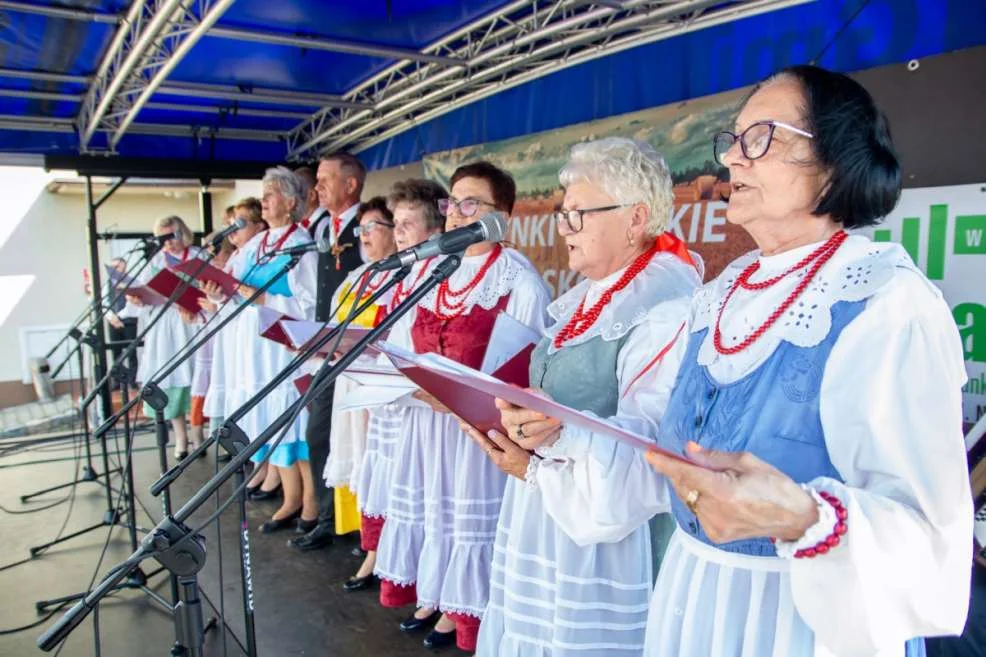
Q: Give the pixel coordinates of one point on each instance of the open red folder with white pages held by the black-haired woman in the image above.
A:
(471, 396)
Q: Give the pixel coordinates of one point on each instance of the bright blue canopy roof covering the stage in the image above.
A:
(261, 70)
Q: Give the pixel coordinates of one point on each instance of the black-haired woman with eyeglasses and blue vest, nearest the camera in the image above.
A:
(828, 512)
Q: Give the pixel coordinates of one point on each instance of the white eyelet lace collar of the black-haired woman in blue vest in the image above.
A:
(858, 270)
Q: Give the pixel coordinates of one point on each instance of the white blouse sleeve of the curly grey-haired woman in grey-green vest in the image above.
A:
(600, 490)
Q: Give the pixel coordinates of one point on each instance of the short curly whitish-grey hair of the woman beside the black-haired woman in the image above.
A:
(629, 170)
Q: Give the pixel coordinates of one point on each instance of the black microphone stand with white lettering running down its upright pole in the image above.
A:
(234, 440)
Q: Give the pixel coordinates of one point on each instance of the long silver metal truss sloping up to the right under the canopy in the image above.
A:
(520, 42)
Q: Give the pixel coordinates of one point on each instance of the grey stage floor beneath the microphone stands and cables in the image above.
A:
(301, 608)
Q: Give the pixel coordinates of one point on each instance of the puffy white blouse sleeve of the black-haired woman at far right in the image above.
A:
(891, 411)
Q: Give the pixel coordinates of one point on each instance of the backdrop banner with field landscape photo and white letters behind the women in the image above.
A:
(681, 132)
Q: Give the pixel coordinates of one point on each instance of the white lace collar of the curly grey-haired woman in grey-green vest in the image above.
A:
(665, 278)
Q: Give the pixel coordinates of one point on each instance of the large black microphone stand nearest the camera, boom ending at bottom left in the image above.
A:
(180, 549)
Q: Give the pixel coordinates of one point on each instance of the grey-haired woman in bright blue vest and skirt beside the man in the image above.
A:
(259, 360)
